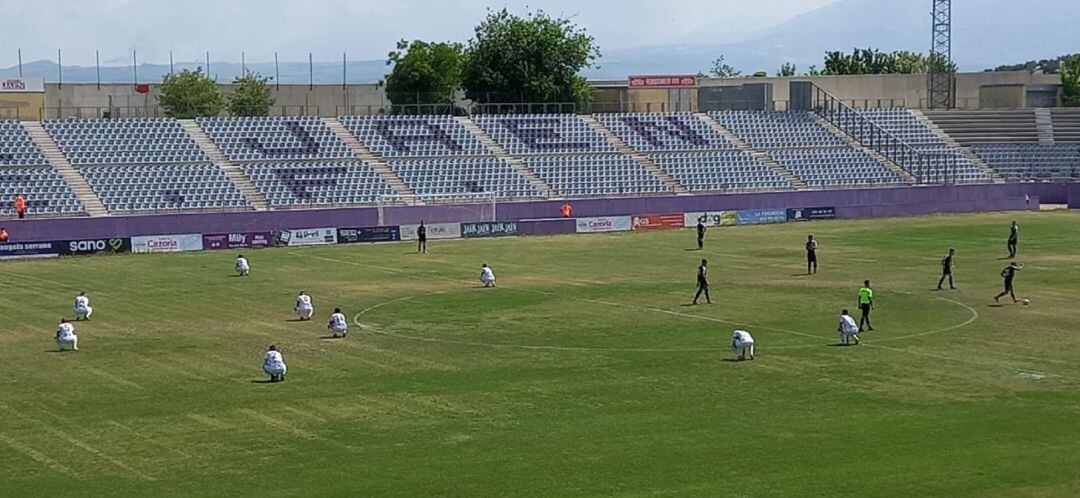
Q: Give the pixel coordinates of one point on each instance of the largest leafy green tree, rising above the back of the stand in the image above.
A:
(534, 59)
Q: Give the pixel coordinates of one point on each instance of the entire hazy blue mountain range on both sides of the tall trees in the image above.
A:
(987, 34)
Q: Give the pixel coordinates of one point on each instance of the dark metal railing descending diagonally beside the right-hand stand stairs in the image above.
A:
(927, 168)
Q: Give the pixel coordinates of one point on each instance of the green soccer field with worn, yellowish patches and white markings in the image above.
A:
(584, 373)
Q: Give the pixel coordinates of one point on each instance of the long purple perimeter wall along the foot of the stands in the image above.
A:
(853, 204)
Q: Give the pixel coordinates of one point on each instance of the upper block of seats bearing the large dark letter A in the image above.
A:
(414, 137)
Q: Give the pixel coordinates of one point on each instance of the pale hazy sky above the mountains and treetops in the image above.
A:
(367, 30)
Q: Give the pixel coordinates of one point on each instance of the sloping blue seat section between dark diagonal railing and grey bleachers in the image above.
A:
(908, 127)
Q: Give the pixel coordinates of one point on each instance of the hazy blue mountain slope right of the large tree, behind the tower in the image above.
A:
(985, 34)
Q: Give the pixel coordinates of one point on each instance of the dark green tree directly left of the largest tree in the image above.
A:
(424, 73)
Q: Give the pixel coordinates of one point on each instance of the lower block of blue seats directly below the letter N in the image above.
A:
(720, 171)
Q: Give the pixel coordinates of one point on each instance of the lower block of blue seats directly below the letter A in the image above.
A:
(454, 177)
